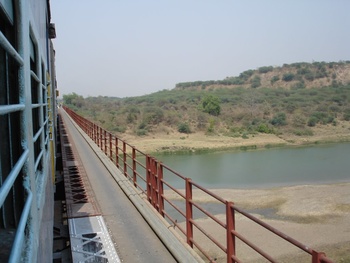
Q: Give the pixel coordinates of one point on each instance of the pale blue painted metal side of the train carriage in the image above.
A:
(36, 165)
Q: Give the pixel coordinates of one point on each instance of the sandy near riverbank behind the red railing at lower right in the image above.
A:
(315, 215)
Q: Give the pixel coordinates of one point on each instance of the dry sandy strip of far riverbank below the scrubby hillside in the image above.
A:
(175, 142)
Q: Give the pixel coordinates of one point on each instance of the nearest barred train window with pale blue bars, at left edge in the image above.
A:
(12, 154)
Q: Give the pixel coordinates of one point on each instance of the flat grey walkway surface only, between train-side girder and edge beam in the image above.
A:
(135, 240)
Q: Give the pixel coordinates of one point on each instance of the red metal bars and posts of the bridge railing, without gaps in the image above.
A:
(119, 151)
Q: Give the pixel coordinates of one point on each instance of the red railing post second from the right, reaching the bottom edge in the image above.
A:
(230, 227)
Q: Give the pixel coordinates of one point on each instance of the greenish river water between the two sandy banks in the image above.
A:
(319, 164)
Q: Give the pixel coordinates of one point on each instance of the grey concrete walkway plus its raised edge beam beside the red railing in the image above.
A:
(134, 239)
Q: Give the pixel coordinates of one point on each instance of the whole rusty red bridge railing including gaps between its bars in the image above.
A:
(181, 206)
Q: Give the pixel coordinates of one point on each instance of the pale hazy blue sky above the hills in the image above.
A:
(127, 48)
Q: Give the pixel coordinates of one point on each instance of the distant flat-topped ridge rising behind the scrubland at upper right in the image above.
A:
(296, 75)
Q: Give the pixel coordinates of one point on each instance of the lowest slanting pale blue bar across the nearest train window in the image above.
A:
(17, 246)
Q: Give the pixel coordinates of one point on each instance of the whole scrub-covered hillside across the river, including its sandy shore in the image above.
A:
(293, 104)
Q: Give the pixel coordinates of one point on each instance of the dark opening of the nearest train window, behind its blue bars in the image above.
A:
(10, 123)
